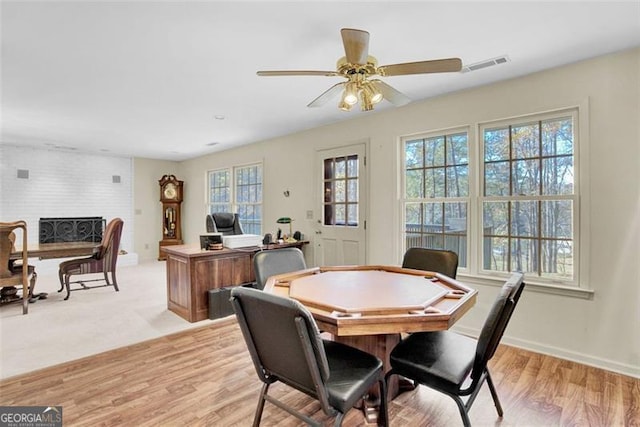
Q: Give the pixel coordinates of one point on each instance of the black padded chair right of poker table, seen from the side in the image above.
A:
(454, 364)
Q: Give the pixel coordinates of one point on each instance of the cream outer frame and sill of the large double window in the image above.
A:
(576, 287)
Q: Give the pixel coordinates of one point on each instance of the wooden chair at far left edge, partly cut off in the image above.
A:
(12, 275)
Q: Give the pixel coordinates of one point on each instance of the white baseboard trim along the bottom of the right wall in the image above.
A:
(585, 359)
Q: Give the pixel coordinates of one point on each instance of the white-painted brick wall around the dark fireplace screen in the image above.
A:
(65, 184)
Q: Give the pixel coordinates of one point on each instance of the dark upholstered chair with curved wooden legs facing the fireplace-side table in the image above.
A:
(104, 261)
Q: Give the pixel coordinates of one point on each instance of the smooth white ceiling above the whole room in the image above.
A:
(147, 78)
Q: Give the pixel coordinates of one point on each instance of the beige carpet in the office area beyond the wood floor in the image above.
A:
(89, 322)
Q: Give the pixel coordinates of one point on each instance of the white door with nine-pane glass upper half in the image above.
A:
(341, 214)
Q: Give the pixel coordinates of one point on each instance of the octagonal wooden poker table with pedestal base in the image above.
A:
(368, 307)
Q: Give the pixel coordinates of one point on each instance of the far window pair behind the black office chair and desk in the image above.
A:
(238, 189)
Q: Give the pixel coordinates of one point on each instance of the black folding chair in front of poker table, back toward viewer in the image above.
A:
(285, 346)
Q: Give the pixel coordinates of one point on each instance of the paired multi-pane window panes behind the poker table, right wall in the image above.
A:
(524, 207)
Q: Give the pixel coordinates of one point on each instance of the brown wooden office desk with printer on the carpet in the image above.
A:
(192, 272)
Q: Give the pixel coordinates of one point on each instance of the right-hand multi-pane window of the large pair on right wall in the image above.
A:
(528, 204)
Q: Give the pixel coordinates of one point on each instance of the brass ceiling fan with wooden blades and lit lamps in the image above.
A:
(358, 68)
